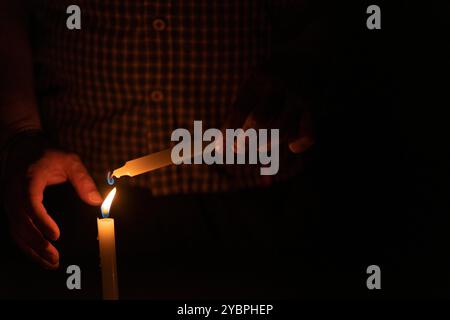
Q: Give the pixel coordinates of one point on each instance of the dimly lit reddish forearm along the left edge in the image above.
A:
(18, 109)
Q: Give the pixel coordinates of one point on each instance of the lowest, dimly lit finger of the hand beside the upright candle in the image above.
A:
(32, 242)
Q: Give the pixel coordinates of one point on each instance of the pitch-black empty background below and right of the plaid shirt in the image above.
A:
(375, 191)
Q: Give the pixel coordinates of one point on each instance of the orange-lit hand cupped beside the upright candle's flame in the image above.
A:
(31, 226)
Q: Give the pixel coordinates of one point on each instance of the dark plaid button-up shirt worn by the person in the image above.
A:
(137, 70)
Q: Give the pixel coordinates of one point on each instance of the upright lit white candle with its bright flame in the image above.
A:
(107, 245)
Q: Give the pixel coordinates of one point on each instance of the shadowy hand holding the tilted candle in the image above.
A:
(267, 102)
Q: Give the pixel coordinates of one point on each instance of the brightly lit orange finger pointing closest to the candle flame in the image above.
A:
(82, 181)
